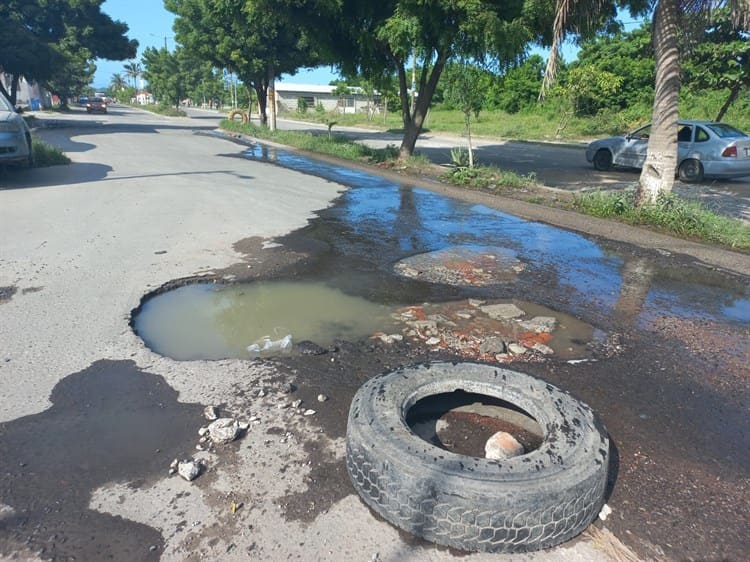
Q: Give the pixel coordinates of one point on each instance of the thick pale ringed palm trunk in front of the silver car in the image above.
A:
(661, 158)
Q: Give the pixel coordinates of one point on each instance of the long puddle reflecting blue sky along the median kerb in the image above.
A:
(387, 222)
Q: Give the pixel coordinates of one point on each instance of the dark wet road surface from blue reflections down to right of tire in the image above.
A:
(670, 379)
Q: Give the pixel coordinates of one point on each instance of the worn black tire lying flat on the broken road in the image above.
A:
(530, 502)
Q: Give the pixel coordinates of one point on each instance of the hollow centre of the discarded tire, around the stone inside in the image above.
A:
(462, 422)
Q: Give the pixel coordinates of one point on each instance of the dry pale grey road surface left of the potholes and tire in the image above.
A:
(90, 418)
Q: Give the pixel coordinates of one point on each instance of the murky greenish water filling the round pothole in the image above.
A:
(211, 321)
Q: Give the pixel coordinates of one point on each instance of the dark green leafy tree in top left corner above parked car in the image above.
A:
(45, 40)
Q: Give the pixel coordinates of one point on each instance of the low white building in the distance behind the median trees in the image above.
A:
(288, 94)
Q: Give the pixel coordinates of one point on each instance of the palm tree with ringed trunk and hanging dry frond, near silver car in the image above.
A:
(659, 169)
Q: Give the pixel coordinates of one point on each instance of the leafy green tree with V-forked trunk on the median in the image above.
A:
(398, 36)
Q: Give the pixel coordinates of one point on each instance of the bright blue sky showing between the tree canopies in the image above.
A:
(151, 25)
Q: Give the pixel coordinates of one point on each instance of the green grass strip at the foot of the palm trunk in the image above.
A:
(671, 214)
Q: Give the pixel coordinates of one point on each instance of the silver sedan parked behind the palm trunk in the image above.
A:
(704, 149)
